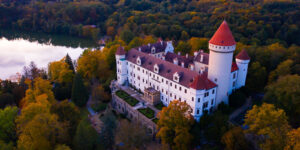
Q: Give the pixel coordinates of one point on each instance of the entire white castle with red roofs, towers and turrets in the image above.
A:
(203, 80)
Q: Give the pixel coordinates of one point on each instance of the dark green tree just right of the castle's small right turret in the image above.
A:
(256, 71)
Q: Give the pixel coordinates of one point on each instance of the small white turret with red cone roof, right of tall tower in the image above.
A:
(242, 61)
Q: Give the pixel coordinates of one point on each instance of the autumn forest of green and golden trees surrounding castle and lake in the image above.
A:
(47, 109)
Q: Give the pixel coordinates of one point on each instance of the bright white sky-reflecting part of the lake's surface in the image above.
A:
(16, 54)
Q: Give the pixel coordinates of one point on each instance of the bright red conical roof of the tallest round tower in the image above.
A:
(223, 36)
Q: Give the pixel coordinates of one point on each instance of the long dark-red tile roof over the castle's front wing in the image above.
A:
(166, 69)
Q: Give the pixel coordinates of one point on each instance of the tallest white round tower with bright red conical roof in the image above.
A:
(221, 46)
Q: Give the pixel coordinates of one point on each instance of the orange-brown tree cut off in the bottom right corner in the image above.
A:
(293, 140)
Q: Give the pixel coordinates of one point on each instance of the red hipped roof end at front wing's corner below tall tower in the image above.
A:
(200, 82)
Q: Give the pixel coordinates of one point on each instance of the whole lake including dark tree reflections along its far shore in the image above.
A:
(18, 49)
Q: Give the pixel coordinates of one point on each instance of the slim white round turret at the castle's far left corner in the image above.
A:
(122, 74)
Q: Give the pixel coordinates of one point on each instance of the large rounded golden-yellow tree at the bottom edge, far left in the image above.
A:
(43, 132)
